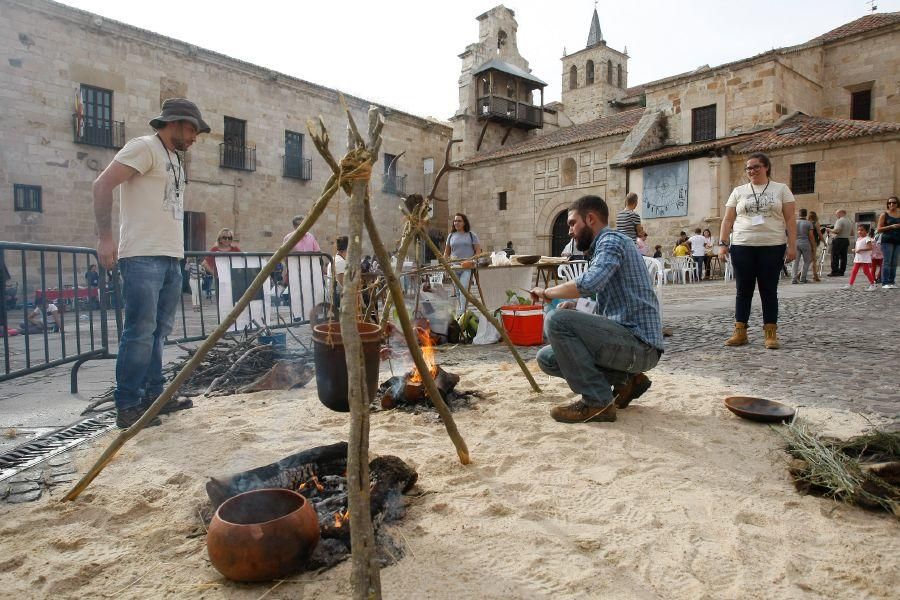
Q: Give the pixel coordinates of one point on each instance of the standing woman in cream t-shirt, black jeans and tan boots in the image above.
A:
(756, 218)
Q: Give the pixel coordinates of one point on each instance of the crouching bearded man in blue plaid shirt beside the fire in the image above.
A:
(602, 356)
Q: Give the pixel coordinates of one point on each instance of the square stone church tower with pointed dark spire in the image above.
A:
(592, 77)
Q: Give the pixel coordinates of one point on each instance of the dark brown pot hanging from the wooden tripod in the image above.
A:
(331, 364)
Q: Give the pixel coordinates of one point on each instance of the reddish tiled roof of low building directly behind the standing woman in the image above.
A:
(801, 130)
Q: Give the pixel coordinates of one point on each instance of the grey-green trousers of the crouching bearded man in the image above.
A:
(592, 354)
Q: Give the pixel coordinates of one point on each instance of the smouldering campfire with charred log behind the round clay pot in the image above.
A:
(320, 474)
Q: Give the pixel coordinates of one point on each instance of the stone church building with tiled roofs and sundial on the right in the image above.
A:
(826, 111)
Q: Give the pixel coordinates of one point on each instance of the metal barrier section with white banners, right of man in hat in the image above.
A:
(214, 281)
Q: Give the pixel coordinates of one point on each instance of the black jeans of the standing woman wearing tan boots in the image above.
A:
(757, 265)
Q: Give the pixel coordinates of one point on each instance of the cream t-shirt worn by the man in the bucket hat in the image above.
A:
(151, 213)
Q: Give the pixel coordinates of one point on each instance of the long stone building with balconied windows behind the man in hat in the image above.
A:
(74, 86)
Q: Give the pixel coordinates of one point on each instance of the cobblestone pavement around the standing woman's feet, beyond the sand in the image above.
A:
(839, 347)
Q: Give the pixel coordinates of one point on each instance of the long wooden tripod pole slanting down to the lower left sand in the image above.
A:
(318, 208)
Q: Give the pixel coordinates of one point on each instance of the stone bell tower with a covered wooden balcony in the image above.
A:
(500, 101)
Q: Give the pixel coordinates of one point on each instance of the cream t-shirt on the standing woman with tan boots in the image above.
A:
(760, 221)
